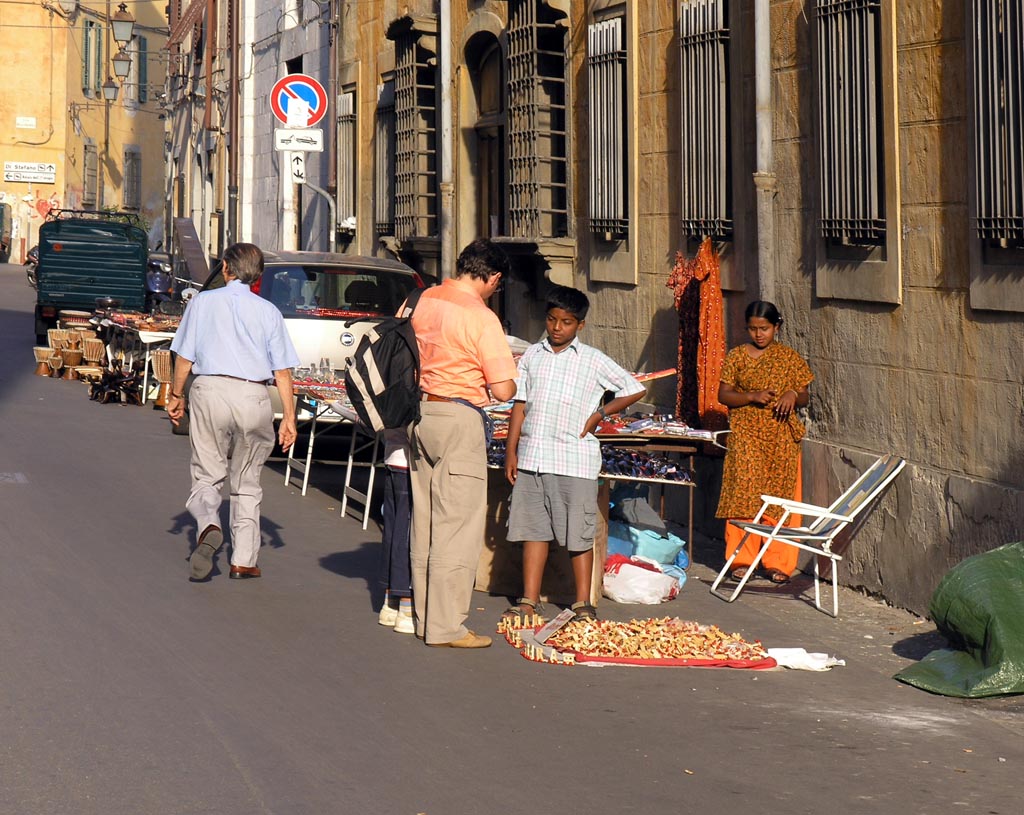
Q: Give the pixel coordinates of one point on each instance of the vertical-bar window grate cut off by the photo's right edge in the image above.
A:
(999, 120)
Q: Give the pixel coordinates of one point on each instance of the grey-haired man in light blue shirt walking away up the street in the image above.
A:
(237, 345)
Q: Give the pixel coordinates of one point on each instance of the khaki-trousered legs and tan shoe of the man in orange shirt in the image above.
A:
(453, 438)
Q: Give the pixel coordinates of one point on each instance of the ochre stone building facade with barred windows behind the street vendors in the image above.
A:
(910, 316)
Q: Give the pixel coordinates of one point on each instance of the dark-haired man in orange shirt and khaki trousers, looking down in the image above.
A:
(463, 352)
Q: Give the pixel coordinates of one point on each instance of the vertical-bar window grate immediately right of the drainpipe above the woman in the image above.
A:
(850, 122)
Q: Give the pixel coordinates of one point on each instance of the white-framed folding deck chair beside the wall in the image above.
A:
(822, 527)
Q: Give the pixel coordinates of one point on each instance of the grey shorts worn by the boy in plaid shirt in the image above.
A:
(547, 507)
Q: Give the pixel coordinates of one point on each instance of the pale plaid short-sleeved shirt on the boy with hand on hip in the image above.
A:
(563, 392)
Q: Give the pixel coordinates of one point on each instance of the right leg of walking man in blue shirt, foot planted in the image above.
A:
(253, 444)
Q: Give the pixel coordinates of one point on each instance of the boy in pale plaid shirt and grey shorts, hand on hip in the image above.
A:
(552, 458)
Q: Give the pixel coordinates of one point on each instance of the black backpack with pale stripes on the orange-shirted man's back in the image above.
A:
(382, 379)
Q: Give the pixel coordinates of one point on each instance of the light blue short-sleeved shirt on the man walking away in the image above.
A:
(233, 332)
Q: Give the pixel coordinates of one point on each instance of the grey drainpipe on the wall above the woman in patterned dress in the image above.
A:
(764, 179)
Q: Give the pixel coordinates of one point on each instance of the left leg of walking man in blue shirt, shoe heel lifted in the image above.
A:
(211, 427)
